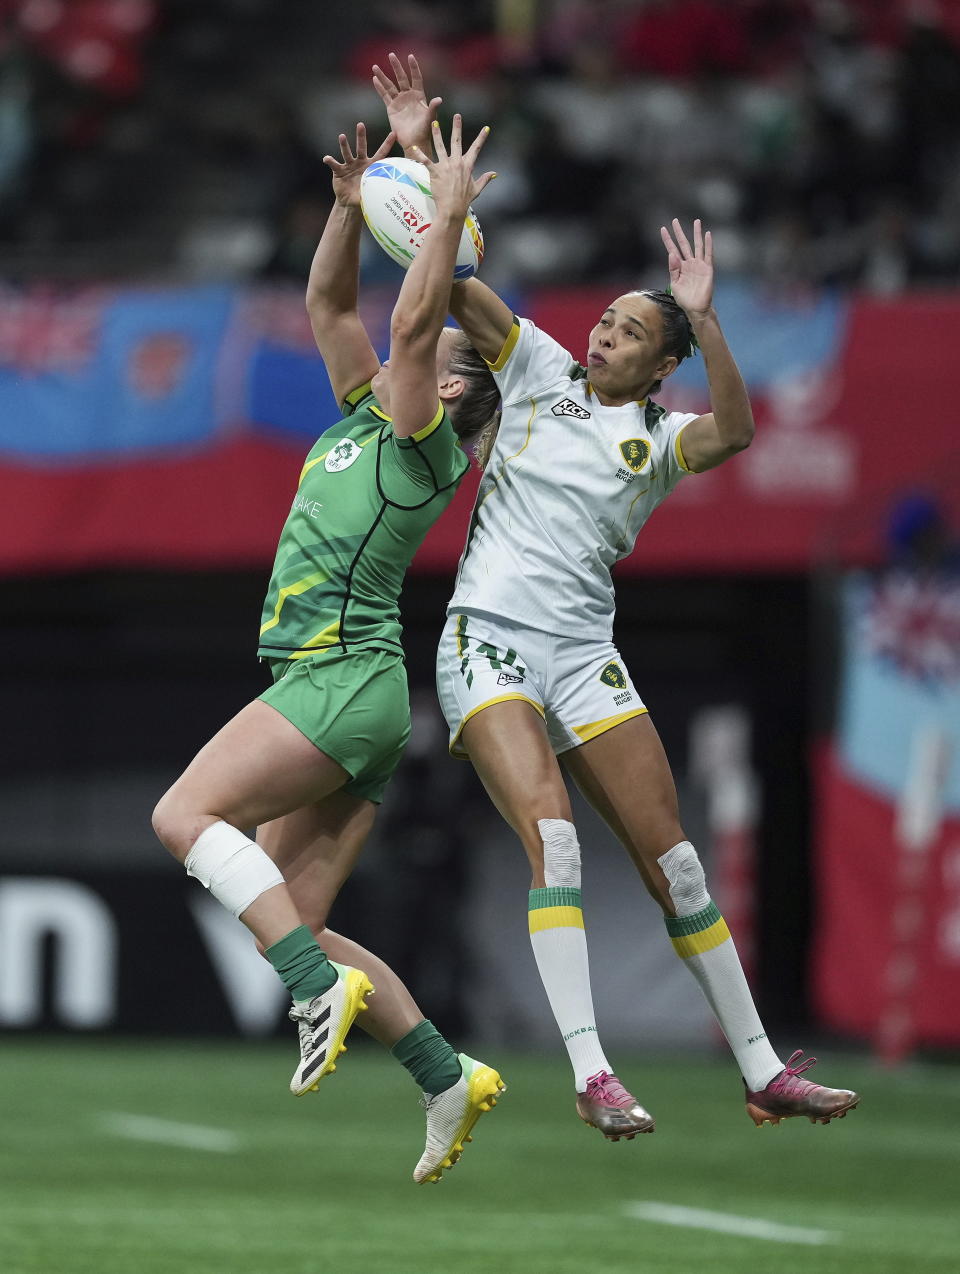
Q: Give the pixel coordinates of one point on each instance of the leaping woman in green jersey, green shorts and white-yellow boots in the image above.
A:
(307, 762)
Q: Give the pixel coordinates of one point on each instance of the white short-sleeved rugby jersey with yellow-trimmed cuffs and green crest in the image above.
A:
(565, 494)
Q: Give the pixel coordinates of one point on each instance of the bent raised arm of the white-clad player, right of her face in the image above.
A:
(712, 439)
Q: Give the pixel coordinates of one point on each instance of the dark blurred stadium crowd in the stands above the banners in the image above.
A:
(184, 138)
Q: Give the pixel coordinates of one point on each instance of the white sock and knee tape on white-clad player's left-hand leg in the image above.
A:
(560, 943)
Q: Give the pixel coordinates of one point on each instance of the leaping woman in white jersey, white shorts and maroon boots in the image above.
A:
(528, 671)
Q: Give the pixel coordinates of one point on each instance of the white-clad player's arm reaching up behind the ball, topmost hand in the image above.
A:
(479, 311)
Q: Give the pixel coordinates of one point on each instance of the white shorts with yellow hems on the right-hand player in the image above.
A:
(581, 689)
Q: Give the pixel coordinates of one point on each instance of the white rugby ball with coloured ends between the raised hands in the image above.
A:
(395, 198)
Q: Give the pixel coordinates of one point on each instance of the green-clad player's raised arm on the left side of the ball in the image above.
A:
(333, 285)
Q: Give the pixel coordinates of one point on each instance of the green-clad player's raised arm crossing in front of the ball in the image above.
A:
(425, 297)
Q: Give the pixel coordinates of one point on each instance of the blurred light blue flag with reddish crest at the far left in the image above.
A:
(102, 374)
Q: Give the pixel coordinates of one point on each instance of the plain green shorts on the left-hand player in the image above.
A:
(355, 708)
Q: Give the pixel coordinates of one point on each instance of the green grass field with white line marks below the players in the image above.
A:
(91, 1184)
